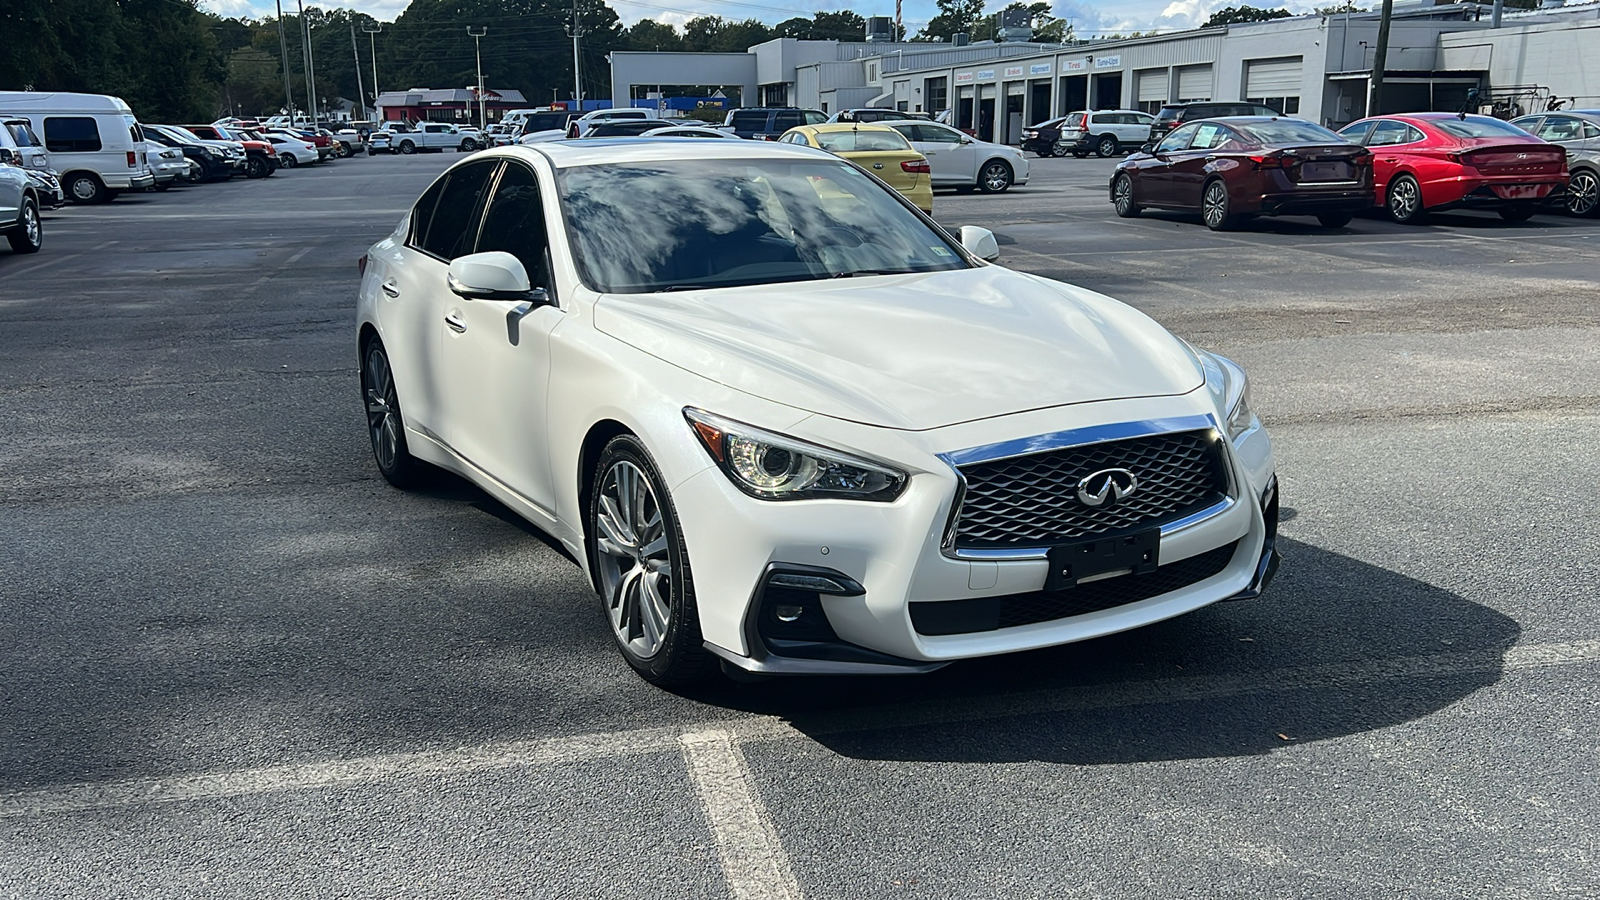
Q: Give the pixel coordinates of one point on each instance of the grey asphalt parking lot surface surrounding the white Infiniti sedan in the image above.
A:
(239, 665)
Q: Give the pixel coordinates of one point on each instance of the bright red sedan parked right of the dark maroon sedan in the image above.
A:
(1446, 161)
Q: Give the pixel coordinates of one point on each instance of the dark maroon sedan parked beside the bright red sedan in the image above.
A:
(1239, 167)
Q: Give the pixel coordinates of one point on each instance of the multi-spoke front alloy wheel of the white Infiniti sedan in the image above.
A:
(634, 561)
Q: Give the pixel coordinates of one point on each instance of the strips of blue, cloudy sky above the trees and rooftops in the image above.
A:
(1087, 18)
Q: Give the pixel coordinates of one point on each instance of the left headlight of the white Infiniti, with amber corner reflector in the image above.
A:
(775, 467)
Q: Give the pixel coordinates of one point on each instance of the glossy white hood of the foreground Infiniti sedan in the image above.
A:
(910, 352)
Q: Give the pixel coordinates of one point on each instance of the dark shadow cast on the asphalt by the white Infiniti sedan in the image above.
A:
(1337, 648)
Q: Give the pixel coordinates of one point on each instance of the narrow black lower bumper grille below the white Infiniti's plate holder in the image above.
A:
(988, 614)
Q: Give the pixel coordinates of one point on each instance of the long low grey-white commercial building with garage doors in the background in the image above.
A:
(1318, 68)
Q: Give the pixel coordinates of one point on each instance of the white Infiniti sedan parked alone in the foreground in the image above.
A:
(786, 424)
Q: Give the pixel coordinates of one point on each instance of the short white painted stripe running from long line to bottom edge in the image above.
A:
(753, 858)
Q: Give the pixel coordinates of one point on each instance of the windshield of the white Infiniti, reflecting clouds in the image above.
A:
(681, 225)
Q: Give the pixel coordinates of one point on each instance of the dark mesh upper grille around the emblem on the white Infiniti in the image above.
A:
(1031, 502)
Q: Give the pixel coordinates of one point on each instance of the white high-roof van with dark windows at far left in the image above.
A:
(94, 140)
